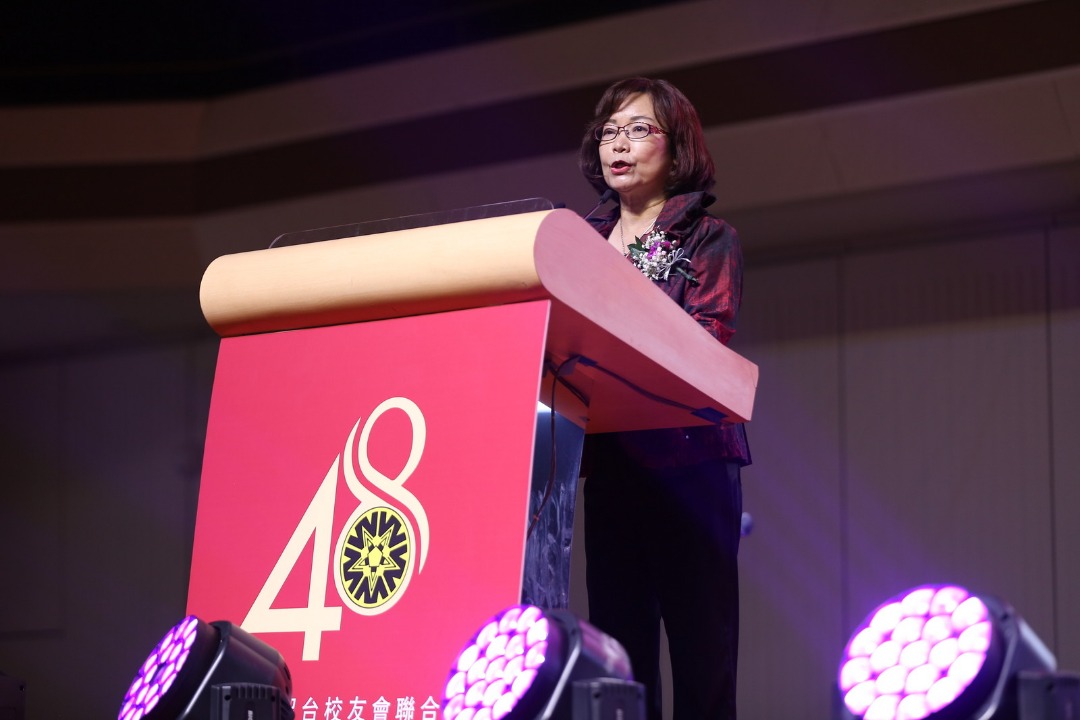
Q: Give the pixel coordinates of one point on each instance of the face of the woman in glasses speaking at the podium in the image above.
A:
(637, 170)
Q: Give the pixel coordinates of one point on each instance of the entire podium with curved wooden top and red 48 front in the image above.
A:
(369, 470)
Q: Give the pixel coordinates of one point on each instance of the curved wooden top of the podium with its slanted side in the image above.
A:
(551, 255)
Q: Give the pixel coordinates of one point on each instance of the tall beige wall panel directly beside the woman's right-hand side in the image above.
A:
(790, 566)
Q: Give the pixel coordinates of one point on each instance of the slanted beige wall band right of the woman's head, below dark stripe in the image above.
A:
(953, 157)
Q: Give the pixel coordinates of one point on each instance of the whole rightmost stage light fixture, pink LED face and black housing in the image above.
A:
(939, 653)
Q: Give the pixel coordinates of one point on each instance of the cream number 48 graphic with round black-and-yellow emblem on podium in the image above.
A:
(375, 559)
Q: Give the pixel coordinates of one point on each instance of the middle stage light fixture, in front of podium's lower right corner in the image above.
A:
(533, 664)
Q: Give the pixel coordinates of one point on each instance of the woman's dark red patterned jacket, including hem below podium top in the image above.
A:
(712, 246)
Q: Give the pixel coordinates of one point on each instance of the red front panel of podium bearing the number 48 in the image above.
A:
(364, 496)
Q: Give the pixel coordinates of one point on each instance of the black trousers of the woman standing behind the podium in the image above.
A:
(664, 544)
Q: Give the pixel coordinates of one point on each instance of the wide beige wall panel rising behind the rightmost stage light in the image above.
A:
(947, 432)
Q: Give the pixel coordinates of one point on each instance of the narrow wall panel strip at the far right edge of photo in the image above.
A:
(1065, 422)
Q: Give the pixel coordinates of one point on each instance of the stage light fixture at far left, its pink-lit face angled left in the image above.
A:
(210, 671)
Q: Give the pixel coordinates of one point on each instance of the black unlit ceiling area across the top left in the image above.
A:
(60, 51)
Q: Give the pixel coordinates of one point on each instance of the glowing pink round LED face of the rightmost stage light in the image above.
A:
(915, 655)
